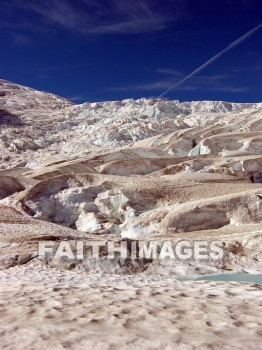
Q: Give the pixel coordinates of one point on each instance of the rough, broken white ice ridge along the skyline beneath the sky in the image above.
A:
(33, 123)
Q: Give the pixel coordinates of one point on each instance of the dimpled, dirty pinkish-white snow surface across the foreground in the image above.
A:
(56, 309)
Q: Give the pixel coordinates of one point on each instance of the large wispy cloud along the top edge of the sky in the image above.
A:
(109, 16)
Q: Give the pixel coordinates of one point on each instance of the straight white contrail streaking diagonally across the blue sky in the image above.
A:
(214, 58)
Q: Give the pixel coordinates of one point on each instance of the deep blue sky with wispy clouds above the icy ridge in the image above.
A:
(92, 50)
